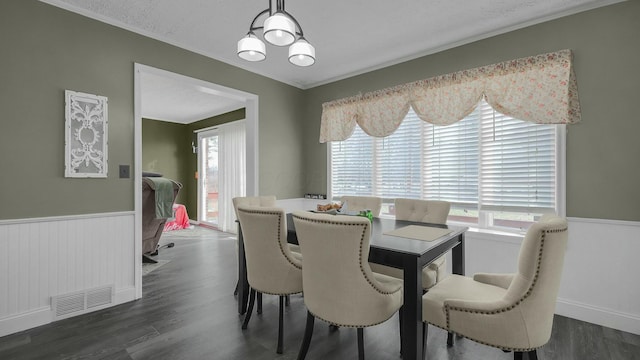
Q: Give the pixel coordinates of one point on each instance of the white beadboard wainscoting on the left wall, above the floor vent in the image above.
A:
(45, 257)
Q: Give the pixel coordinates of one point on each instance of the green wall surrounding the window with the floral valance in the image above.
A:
(603, 152)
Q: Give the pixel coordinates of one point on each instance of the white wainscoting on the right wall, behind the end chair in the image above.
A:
(600, 280)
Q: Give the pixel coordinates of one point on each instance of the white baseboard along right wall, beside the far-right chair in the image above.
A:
(597, 315)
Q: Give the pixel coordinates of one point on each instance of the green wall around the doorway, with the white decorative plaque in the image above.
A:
(46, 50)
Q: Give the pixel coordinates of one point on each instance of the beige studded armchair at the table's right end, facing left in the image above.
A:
(513, 312)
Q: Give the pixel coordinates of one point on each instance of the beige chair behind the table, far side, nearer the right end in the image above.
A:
(427, 211)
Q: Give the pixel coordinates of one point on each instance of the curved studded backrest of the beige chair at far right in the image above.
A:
(534, 288)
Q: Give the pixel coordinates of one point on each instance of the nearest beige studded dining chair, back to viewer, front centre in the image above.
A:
(339, 286)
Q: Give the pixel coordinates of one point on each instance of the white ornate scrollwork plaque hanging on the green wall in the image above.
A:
(85, 135)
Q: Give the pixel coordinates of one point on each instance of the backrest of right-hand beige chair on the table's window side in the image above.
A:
(428, 211)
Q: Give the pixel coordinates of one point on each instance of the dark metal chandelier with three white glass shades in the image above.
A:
(280, 29)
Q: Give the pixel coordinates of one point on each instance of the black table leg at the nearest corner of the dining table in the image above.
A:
(412, 333)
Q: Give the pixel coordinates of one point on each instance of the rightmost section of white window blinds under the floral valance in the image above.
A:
(517, 166)
